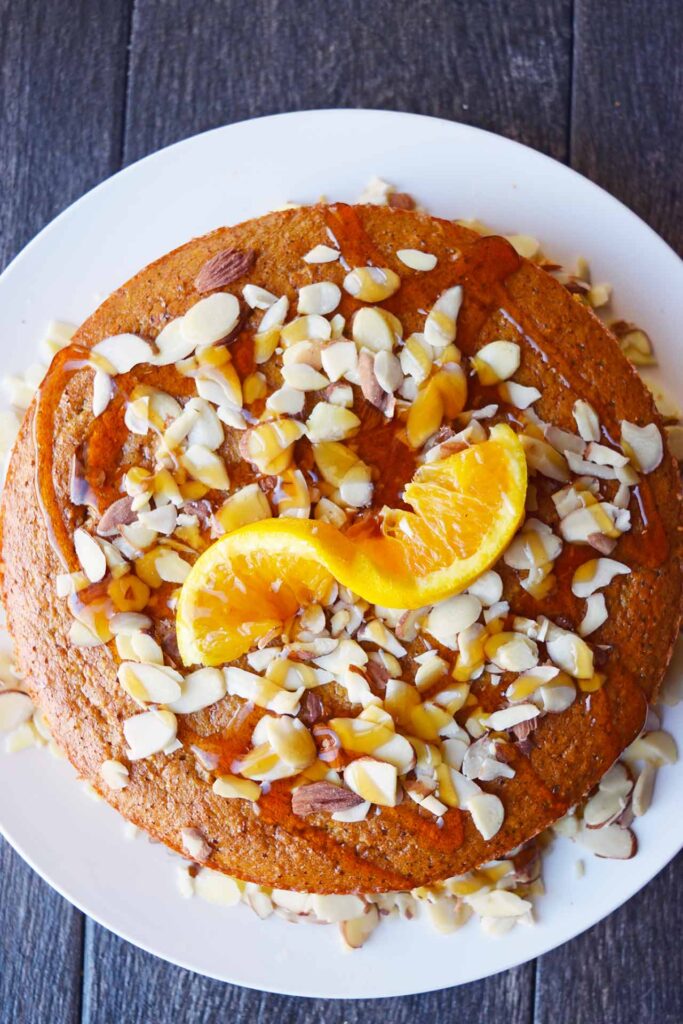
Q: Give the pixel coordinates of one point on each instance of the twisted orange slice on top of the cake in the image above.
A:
(466, 508)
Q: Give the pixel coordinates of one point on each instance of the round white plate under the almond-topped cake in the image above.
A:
(223, 178)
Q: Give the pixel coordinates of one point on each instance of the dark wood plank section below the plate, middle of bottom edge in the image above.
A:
(132, 988)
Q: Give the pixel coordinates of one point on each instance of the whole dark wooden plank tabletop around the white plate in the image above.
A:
(91, 86)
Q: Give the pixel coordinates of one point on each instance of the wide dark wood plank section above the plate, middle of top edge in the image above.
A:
(503, 66)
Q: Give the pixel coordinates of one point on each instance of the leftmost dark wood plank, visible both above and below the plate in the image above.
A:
(62, 93)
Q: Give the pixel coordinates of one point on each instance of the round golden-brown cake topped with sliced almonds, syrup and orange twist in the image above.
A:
(340, 549)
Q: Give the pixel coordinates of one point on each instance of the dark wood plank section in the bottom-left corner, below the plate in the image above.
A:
(41, 942)
